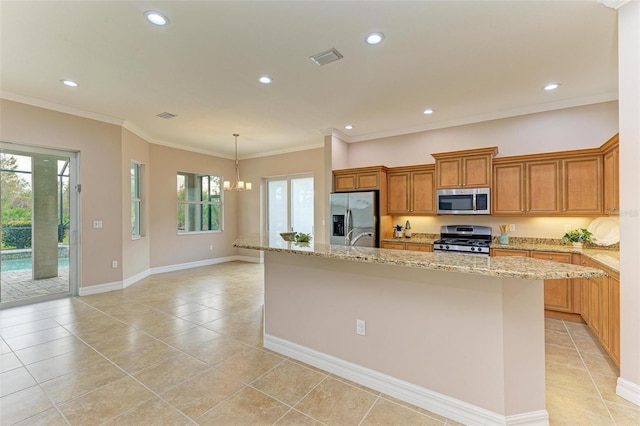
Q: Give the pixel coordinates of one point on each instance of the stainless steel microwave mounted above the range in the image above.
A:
(464, 201)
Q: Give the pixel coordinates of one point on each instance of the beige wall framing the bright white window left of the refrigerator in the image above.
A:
(250, 212)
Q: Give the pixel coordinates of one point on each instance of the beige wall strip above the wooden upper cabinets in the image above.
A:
(572, 128)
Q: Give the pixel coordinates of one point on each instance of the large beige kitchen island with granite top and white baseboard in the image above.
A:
(459, 335)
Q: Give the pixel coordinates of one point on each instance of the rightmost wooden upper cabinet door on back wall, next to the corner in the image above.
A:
(582, 185)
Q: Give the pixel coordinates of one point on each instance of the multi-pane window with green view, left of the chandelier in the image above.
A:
(199, 203)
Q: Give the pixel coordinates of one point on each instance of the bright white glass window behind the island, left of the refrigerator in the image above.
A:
(289, 205)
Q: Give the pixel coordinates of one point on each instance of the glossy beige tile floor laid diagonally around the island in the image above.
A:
(186, 348)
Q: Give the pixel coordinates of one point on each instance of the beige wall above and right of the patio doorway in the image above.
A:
(100, 175)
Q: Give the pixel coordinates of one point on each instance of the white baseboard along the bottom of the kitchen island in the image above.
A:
(433, 401)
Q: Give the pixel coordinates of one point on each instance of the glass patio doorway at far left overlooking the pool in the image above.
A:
(38, 259)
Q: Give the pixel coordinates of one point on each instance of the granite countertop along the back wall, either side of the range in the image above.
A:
(605, 256)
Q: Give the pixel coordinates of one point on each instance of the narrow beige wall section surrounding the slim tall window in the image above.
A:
(135, 252)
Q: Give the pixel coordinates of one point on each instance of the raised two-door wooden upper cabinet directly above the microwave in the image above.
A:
(464, 169)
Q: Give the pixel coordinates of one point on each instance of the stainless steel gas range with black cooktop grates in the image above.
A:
(470, 239)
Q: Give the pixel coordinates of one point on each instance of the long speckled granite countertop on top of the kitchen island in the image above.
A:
(512, 267)
